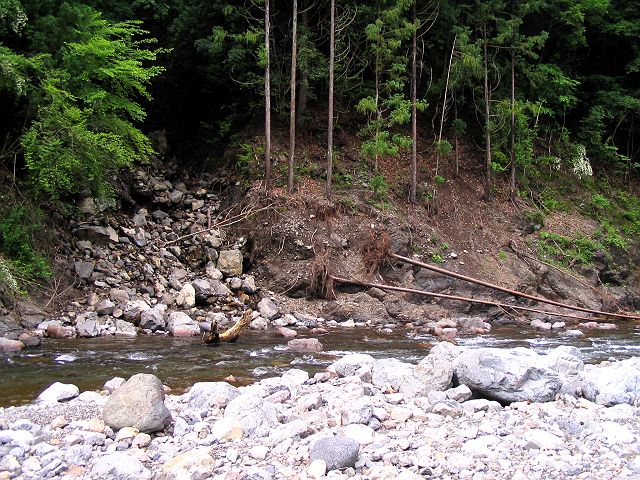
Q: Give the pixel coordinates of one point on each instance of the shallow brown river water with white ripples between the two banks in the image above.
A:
(180, 362)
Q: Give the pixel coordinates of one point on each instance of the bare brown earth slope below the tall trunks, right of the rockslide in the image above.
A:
(551, 243)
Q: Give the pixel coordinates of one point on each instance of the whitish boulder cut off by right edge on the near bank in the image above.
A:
(612, 383)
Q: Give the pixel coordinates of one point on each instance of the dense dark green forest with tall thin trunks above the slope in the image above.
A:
(533, 85)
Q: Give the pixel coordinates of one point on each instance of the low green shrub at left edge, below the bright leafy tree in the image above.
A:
(17, 228)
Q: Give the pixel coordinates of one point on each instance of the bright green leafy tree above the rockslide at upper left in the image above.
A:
(88, 103)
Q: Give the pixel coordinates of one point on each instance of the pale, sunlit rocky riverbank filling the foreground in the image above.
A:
(459, 414)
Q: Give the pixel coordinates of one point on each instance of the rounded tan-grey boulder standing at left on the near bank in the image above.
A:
(138, 403)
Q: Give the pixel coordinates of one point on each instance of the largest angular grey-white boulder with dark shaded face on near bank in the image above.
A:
(512, 375)
